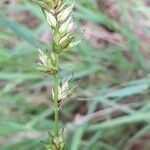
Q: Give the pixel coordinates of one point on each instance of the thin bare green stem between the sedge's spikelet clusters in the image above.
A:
(56, 84)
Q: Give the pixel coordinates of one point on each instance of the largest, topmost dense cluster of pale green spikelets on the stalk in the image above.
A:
(58, 17)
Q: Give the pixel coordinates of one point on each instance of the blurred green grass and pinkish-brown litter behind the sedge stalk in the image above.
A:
(111, 108)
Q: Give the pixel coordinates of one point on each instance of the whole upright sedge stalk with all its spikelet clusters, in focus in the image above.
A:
(58, 16)
